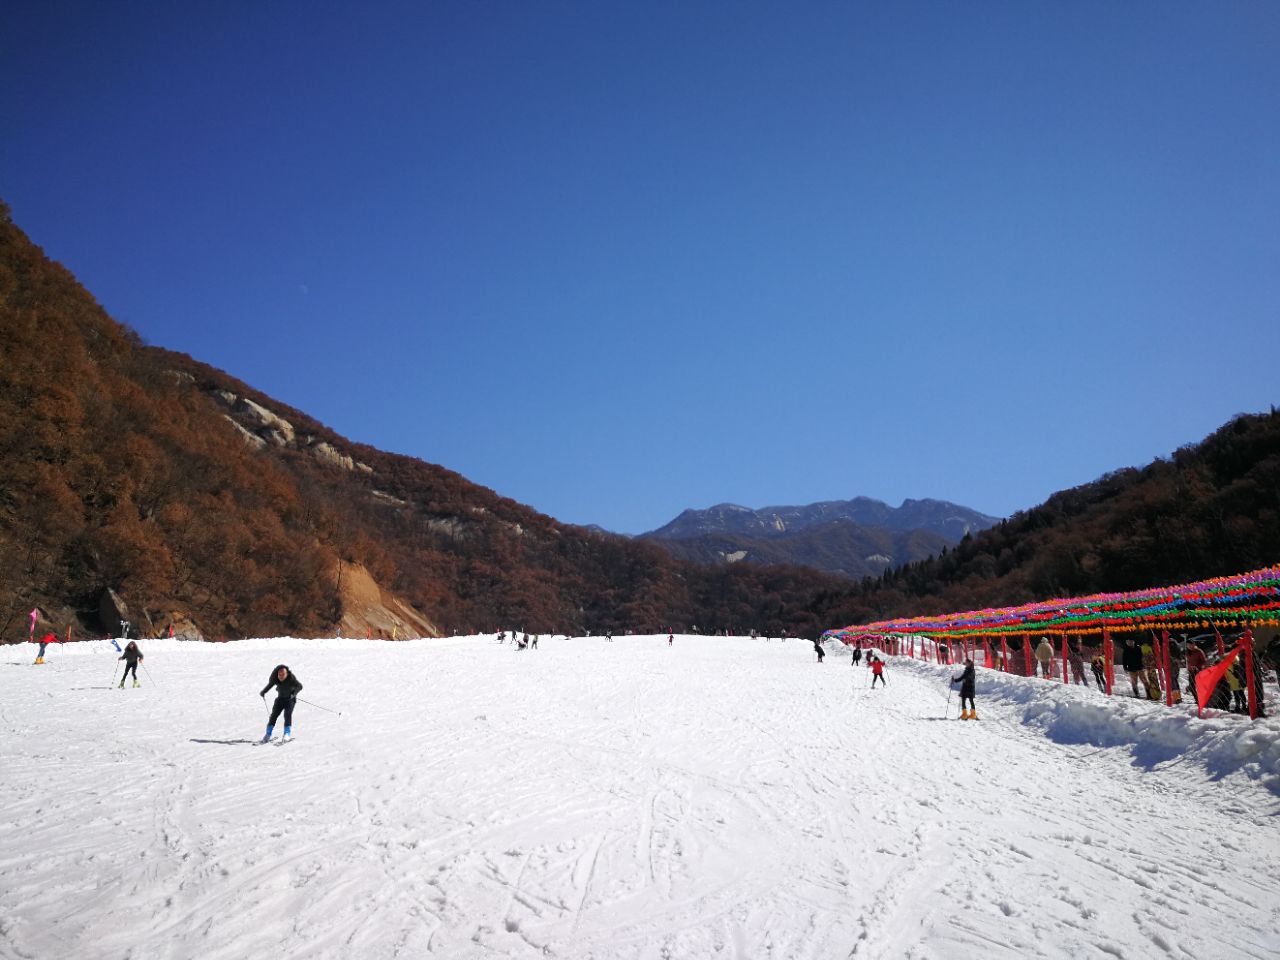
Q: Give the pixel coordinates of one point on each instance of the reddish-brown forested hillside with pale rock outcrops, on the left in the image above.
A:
(196, 499)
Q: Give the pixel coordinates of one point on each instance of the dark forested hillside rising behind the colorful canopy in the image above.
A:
(1212, 509)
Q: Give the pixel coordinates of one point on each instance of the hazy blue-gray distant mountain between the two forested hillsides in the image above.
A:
(856, 538)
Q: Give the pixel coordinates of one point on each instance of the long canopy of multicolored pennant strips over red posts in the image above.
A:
(1244, 601)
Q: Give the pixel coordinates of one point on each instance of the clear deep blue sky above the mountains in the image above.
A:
(615, 260)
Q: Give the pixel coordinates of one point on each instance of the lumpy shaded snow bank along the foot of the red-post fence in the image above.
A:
(1155, 735)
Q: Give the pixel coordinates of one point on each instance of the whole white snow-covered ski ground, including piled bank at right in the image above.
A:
(716, 798)
